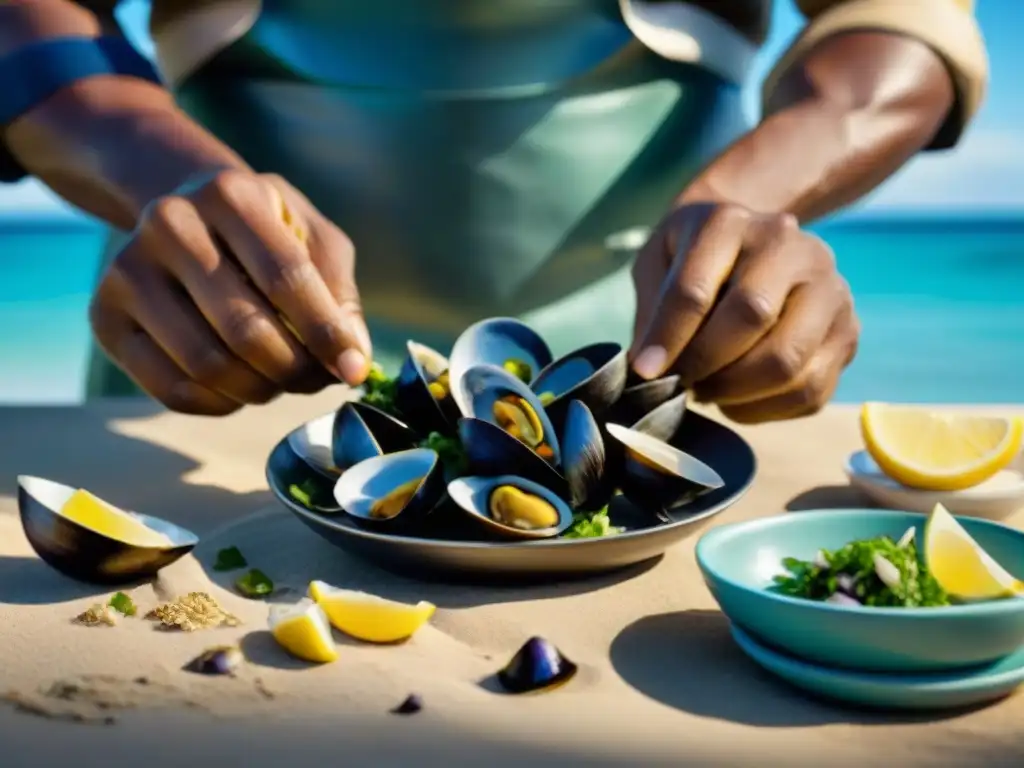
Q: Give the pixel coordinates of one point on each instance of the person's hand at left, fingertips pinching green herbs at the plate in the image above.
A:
(233, 290)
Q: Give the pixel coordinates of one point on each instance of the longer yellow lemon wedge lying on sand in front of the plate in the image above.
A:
(368, 618)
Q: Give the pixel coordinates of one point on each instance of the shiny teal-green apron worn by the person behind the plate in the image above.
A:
(499, 158)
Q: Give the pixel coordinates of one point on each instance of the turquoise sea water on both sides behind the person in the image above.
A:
(942, 303)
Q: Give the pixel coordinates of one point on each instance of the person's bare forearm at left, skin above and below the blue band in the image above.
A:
(107, 145)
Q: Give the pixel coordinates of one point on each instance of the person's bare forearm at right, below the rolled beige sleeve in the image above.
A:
(841, 122)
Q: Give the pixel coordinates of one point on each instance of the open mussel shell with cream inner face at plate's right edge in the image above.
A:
(655, 473)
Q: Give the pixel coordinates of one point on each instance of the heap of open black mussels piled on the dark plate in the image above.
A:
(542, 440)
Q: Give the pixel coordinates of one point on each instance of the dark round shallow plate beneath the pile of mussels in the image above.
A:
(454, 552)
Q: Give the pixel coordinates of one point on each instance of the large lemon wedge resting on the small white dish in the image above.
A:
(935, 451)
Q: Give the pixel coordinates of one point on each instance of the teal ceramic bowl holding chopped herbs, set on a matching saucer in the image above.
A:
(739, 562)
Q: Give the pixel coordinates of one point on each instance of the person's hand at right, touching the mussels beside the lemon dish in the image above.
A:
(748, 309)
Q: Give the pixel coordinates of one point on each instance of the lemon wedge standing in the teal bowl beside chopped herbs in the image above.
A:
(961, 567)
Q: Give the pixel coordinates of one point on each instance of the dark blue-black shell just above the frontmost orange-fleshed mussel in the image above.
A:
(491, 452)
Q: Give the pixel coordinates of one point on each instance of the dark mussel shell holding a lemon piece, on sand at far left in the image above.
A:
(90, 540)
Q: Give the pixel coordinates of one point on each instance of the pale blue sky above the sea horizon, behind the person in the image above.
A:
(985, 173)
